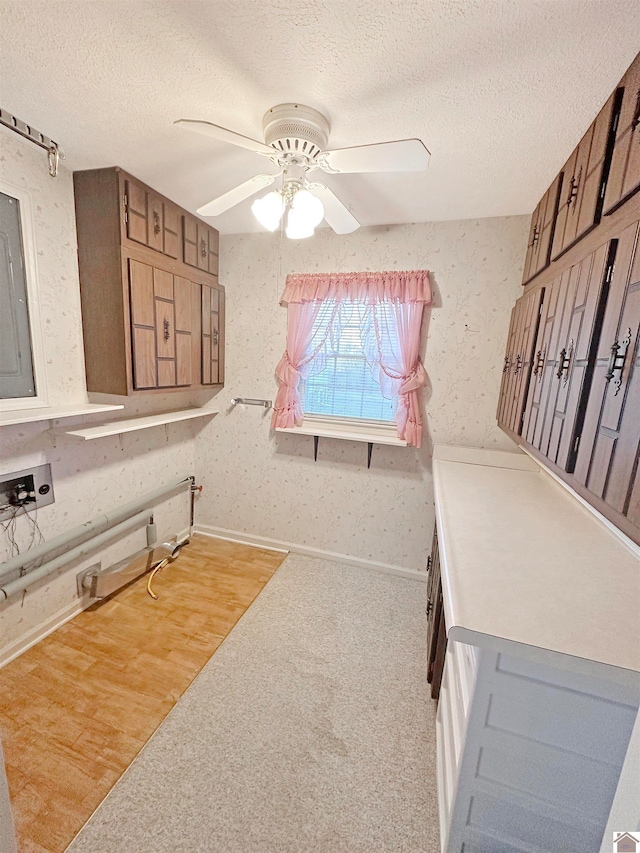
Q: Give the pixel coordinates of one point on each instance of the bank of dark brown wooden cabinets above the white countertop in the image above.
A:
(577, 409)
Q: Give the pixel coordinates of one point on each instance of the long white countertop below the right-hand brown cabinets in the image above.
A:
(524, 562)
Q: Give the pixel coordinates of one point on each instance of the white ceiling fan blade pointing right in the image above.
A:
(403, 155)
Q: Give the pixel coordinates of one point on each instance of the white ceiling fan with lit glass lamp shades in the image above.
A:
(295, 141)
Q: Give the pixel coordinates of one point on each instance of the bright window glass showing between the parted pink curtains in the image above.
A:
(341, 383)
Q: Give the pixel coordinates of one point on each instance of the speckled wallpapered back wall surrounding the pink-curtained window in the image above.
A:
(267, 484)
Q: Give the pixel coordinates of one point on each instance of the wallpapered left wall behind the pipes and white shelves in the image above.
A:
(88, 477)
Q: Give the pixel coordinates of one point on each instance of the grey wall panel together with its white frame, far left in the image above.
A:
(21, 363)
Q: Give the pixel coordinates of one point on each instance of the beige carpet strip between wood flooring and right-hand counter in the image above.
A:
(310, 729)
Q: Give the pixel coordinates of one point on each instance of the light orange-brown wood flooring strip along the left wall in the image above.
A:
(77, 708)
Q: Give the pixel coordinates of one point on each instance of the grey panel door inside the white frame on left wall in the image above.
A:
(16, 367)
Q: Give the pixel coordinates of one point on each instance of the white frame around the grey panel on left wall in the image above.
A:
(41, 399)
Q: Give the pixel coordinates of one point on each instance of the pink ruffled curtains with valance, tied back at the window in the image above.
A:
(390, 335)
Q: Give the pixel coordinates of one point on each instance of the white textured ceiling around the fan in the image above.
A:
(500, 91)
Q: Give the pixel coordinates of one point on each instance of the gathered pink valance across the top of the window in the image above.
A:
(372, 288)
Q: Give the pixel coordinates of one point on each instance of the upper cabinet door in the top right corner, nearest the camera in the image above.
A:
(624, 176)
